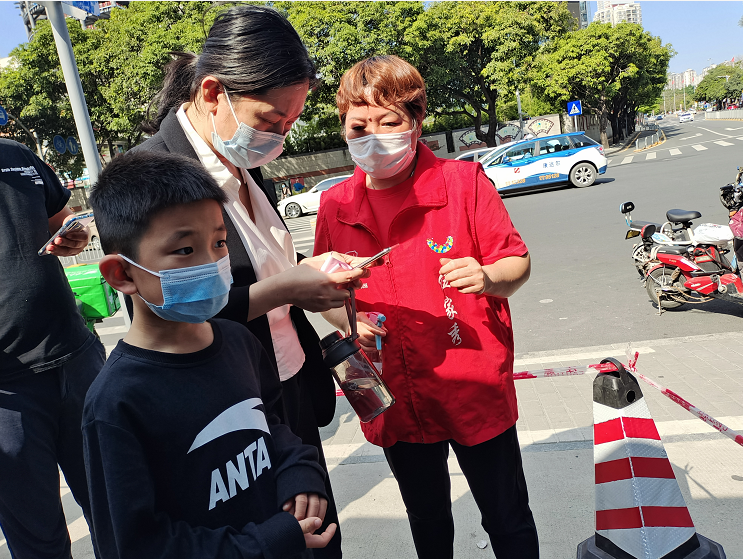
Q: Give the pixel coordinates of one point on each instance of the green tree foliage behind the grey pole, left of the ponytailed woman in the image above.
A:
(120, 63)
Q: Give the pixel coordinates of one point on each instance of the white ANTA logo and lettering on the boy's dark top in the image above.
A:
(242, 416)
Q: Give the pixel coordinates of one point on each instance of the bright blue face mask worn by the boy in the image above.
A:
(193, 294)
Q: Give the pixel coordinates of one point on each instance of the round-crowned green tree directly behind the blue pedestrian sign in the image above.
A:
(611, 69)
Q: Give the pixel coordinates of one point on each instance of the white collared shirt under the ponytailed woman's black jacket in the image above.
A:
(267, 242)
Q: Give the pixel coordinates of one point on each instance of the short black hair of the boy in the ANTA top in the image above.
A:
(135, 186)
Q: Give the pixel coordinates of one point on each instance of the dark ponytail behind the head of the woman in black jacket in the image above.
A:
(179, 78)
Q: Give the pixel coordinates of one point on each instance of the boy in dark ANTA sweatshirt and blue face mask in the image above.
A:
(184, 450)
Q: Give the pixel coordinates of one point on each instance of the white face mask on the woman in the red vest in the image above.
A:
(382, 156)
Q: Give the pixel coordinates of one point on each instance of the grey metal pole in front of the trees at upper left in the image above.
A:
(74, 88)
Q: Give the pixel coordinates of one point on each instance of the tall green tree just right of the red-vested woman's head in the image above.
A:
(471, 53)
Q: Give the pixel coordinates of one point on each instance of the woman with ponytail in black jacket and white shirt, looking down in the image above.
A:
(230, 108)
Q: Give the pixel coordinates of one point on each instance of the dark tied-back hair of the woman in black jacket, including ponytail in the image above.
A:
(250, 50)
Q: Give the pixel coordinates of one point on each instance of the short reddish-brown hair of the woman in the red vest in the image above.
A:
(386, 81)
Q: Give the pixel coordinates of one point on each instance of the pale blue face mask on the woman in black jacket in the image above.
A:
(248, 148)
